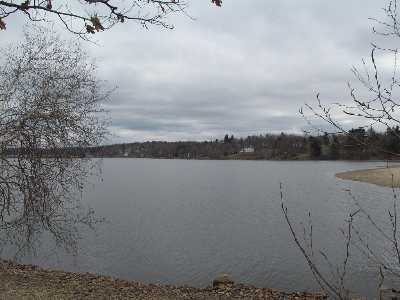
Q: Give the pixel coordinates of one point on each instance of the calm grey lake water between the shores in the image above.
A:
(182, 222)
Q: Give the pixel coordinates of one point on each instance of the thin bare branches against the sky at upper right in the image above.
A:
(374, 98)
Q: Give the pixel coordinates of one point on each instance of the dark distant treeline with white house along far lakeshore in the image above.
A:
(357, 144)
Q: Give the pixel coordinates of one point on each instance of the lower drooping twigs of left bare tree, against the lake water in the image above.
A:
(40, 201)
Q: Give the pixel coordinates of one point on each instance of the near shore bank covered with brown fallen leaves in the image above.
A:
(31, 282)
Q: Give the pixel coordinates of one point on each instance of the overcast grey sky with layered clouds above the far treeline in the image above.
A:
(242, 69)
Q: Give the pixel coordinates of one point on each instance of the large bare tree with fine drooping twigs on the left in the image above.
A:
(50, 109)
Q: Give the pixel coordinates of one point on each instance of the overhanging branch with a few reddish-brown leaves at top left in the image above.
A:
(89, 16)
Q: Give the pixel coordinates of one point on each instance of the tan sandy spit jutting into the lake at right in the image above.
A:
(381, 176)
